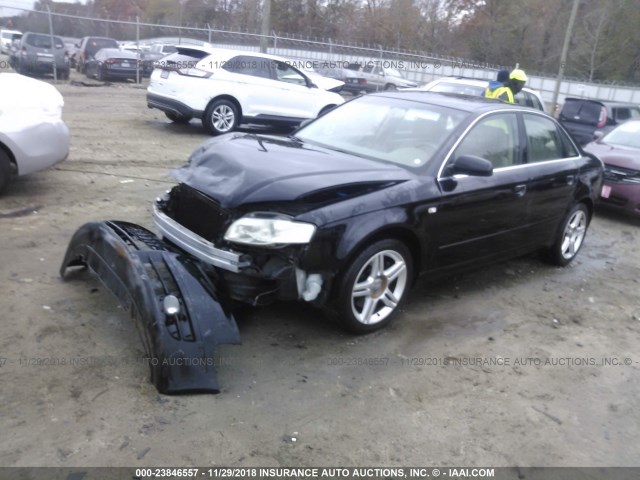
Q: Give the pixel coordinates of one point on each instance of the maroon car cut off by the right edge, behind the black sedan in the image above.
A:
(620, 152)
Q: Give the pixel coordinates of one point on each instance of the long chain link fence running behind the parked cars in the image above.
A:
(420, 67)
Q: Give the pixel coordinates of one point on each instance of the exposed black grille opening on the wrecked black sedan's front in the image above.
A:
(198, 212)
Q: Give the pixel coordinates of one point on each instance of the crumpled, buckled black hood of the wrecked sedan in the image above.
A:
(237, 169)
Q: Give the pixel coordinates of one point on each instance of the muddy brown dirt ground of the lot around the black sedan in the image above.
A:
(519, 364)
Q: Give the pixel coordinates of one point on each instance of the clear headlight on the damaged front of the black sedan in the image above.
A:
(268, 229)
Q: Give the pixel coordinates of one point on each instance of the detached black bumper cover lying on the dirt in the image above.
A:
(142, 271)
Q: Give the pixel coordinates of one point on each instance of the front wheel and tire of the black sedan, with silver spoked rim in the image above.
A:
(373, 287)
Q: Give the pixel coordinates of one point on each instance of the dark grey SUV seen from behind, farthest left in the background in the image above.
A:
(34, 54)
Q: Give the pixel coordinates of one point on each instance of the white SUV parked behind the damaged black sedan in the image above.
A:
(226, 87)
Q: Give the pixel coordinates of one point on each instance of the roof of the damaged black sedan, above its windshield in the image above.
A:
(468, 103)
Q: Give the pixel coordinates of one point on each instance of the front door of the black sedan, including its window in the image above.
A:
(482, 217)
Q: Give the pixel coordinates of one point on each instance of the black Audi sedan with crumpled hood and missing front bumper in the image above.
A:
(350, 209)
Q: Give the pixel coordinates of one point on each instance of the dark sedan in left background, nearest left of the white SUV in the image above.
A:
(113, 64)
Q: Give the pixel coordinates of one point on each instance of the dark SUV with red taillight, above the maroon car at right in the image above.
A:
(583, 116)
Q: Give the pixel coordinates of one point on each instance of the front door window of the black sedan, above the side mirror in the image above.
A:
(493, 138)
